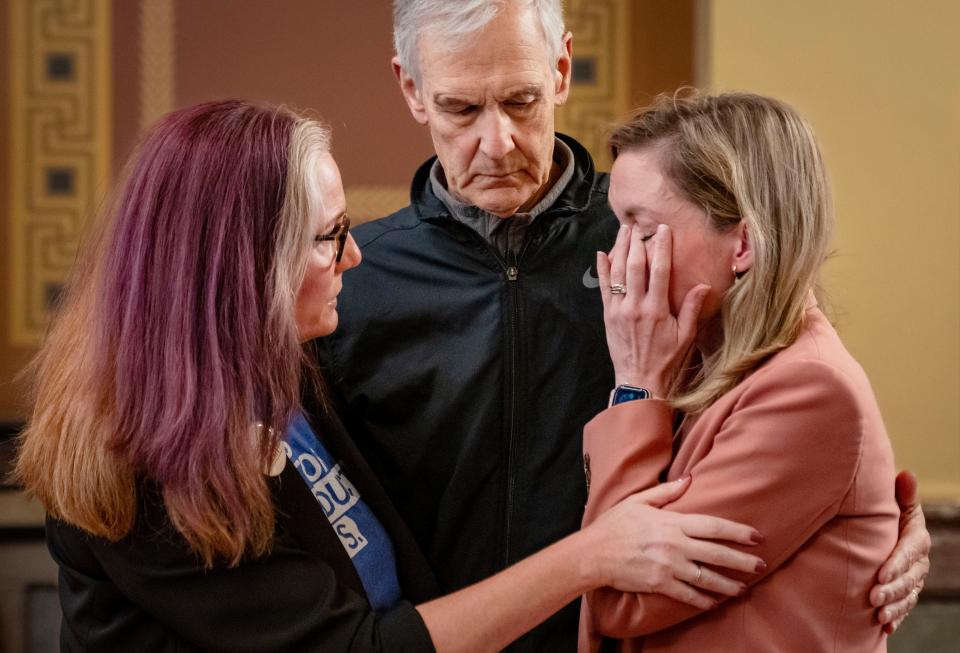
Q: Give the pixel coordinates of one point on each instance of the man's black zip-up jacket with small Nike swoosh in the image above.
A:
(471, 377)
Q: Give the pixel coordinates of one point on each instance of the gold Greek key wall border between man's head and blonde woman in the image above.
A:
(599, 94)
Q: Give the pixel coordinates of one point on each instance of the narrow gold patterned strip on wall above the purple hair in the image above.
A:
(157, 24)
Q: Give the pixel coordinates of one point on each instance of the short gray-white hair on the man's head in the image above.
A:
(457, 19)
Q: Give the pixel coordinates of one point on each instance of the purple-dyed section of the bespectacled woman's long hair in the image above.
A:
(188, 265)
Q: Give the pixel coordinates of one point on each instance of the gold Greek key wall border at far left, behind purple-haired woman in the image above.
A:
(59, 146)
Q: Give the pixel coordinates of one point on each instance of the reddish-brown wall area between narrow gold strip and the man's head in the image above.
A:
(333, 57)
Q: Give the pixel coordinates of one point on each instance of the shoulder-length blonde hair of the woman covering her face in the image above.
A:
(744, 157)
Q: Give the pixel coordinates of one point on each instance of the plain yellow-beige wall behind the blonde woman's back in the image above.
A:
(880, 81)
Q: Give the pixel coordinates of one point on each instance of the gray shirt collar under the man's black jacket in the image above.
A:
(506, 234)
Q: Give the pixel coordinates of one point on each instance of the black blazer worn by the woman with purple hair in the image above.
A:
(148, 592)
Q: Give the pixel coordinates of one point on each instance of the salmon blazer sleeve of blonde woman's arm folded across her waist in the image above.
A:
(782, 461)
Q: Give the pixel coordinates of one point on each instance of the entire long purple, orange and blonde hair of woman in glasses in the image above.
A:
(178, 335)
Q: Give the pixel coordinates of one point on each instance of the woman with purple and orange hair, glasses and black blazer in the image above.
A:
(201, 493)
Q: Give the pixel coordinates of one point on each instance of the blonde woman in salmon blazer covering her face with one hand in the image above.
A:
(727, 371)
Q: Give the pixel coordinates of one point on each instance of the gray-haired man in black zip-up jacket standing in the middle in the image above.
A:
(472, 348)
